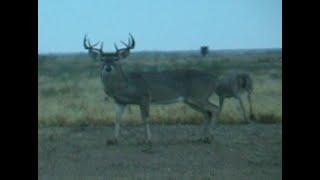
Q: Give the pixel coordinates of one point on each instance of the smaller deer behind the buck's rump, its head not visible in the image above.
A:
(232, 85)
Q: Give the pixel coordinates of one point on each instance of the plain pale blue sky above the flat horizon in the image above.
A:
(160, 25)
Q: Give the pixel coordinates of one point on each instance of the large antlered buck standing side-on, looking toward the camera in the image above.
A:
(144, 88)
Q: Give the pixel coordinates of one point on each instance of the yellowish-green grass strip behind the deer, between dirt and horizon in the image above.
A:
(70, 92)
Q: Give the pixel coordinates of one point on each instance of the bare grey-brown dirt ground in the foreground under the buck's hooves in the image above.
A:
(245, 151)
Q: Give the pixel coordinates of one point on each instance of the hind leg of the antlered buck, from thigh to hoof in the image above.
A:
(210, 112)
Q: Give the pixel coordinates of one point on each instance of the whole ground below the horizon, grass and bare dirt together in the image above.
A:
(75, 122)
